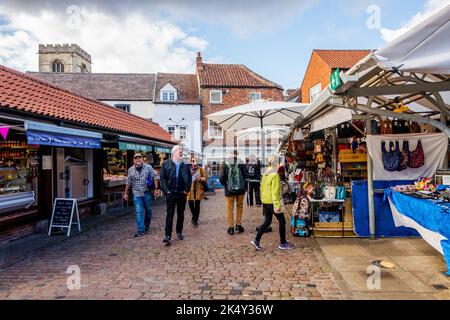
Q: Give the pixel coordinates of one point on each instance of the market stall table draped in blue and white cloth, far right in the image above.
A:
(431, 218)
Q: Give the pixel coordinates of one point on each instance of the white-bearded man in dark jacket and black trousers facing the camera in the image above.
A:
(175, 180)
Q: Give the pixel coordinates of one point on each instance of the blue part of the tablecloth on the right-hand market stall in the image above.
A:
(430, 214)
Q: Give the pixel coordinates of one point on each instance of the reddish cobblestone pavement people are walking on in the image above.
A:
(208, 264)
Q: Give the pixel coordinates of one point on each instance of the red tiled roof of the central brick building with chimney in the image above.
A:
(232, 75)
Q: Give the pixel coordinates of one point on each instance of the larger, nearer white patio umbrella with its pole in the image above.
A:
(258, 113)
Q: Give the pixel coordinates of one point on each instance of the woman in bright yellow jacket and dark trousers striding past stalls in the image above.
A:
(271, 200)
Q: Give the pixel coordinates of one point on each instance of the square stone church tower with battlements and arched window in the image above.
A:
(63, 58)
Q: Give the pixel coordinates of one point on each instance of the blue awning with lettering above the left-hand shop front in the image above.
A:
(62, 140)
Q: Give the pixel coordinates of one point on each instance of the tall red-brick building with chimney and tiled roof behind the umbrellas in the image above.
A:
(224, 86)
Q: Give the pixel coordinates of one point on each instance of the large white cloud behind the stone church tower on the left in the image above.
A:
(132, 43)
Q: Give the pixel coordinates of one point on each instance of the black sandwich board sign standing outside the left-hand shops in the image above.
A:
(62, 215)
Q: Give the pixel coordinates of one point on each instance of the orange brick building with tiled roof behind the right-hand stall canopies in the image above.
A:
(321, 66)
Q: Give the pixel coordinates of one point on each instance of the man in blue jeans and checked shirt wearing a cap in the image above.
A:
(142, 195)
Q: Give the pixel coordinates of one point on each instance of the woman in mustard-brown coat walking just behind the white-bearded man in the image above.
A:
(197, 194)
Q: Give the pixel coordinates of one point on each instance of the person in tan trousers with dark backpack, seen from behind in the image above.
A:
(232, 177)
